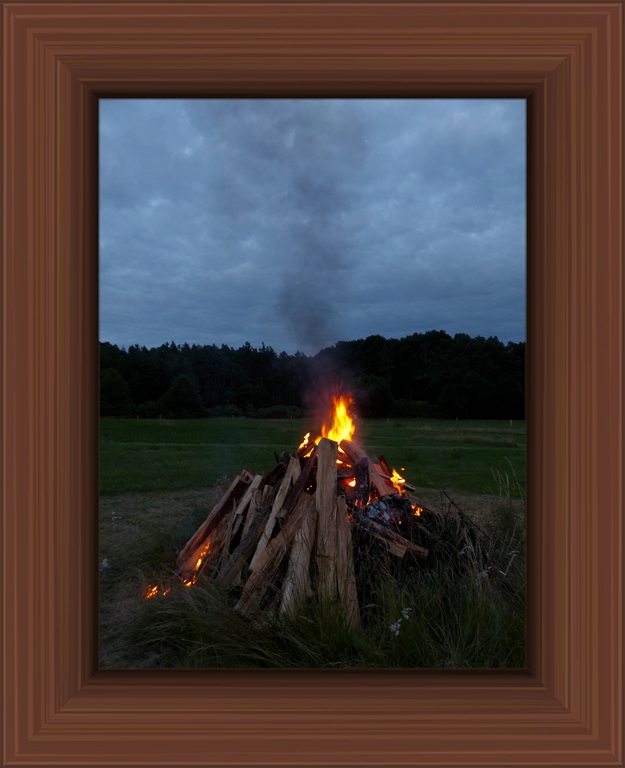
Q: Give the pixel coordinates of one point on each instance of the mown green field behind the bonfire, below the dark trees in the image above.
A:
(163, 455)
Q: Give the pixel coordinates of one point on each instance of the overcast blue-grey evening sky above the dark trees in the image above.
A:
(300, 223)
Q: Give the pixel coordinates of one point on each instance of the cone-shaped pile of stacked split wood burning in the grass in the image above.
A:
(287, 535)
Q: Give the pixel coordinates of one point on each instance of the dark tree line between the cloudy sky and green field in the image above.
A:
(428, 374)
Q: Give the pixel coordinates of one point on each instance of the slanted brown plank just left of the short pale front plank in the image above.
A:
(270, 559)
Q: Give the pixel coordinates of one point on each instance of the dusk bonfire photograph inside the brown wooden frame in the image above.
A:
(312, 351)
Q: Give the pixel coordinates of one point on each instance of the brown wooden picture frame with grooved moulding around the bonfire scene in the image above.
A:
(566, 708)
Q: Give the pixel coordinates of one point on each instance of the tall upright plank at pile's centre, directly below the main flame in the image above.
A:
(325, 497)
